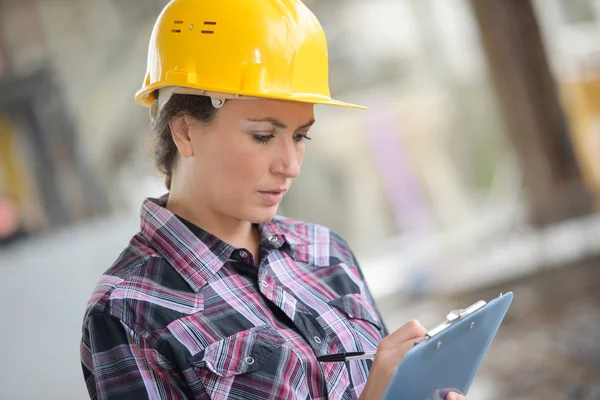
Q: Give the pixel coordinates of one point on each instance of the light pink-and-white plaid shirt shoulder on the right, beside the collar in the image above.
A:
(318, 244)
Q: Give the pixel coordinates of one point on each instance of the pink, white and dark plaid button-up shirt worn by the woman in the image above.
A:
(182, 314)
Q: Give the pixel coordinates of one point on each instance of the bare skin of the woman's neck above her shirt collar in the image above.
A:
(236, 232)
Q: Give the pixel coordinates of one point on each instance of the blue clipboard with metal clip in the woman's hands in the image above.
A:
(450, 355)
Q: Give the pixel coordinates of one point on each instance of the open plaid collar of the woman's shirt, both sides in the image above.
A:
(196, 259)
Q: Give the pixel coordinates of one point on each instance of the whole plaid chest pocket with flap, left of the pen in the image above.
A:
(247, 365)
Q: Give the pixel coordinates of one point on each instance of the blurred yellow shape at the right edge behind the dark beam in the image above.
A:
(581, 99)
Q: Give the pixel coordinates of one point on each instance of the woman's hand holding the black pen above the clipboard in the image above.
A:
(390, 352)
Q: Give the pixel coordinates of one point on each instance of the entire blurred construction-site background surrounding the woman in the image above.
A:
(476, 171)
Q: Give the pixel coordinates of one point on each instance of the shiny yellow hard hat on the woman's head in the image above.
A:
(236, 49)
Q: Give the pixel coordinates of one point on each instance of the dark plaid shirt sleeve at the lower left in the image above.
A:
(119, 364)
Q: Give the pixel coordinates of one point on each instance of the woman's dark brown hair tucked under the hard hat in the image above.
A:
(165, 151)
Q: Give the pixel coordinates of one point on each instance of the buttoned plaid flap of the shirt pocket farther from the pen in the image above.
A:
(240, 353)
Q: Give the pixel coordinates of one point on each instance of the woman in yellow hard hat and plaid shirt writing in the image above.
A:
(216, 297)
